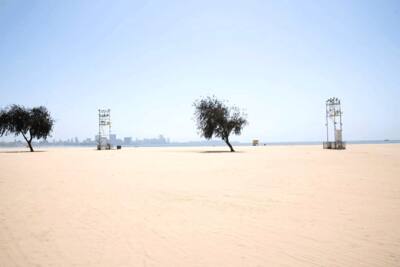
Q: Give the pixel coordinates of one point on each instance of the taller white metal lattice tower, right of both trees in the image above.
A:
(334, 118)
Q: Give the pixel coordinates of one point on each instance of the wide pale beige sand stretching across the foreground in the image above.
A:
(265, 206)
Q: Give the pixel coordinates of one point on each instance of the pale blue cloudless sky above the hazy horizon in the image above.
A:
(148, 61)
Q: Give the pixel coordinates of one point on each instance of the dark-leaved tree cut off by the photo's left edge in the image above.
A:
(29, 122)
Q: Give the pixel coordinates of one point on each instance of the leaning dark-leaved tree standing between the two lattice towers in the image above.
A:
(214, 118)
